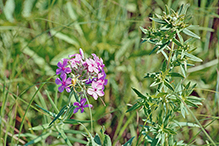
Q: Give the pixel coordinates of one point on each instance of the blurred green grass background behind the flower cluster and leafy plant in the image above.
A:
(36, 34)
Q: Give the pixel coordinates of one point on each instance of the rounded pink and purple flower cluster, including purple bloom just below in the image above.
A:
(87, 72)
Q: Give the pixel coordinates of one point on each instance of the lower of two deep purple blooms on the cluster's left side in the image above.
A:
(64, 83)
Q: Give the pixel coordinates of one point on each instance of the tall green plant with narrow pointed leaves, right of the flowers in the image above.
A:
(173, 92)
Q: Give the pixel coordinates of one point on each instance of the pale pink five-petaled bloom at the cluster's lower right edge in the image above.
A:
(96, 90)
